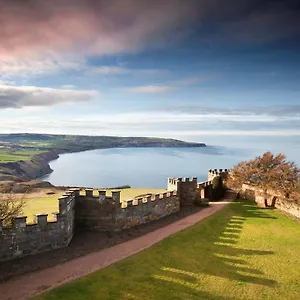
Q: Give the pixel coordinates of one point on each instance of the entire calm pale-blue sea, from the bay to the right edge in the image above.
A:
(151, 167)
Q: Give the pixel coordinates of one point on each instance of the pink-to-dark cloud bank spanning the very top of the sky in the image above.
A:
(103, 27)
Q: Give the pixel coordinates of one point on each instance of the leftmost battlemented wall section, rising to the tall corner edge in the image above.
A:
(23, 239)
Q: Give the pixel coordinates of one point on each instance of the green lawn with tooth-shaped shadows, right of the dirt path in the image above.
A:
(241, 252)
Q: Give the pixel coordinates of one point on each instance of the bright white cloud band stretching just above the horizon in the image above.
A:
(151, 124)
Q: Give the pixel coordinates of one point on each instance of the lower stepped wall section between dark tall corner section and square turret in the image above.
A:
(146, 209)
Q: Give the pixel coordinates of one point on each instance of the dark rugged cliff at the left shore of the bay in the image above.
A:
(22, 170)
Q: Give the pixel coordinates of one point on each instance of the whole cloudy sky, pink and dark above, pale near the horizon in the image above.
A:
(187, 69)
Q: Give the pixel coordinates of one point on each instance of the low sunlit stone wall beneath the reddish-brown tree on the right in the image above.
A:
(270, 199)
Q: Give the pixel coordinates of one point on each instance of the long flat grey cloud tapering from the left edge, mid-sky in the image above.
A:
(22, 96)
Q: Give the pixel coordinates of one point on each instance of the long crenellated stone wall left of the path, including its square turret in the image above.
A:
(88, 211)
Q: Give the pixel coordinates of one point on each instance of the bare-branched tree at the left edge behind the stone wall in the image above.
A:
(10, 207)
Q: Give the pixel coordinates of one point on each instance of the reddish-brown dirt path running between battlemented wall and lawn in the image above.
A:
(37, 282)
